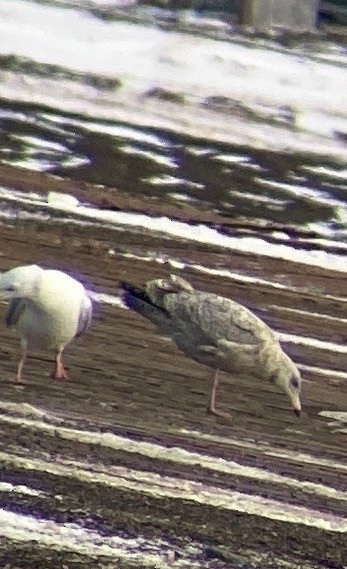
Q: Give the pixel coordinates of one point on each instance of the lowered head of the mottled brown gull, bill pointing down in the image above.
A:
(288, 379)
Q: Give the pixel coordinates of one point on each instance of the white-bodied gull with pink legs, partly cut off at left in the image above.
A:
(48, 309)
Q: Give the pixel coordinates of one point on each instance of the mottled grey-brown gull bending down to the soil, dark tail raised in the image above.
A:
(217, 332)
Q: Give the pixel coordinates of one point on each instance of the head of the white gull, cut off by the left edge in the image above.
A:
(21, 282)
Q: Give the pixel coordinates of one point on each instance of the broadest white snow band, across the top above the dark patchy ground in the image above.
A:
(147, 56)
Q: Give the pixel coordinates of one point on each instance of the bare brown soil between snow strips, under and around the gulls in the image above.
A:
(125, 378)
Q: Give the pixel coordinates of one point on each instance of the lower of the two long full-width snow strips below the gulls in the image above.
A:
(183, 489)
